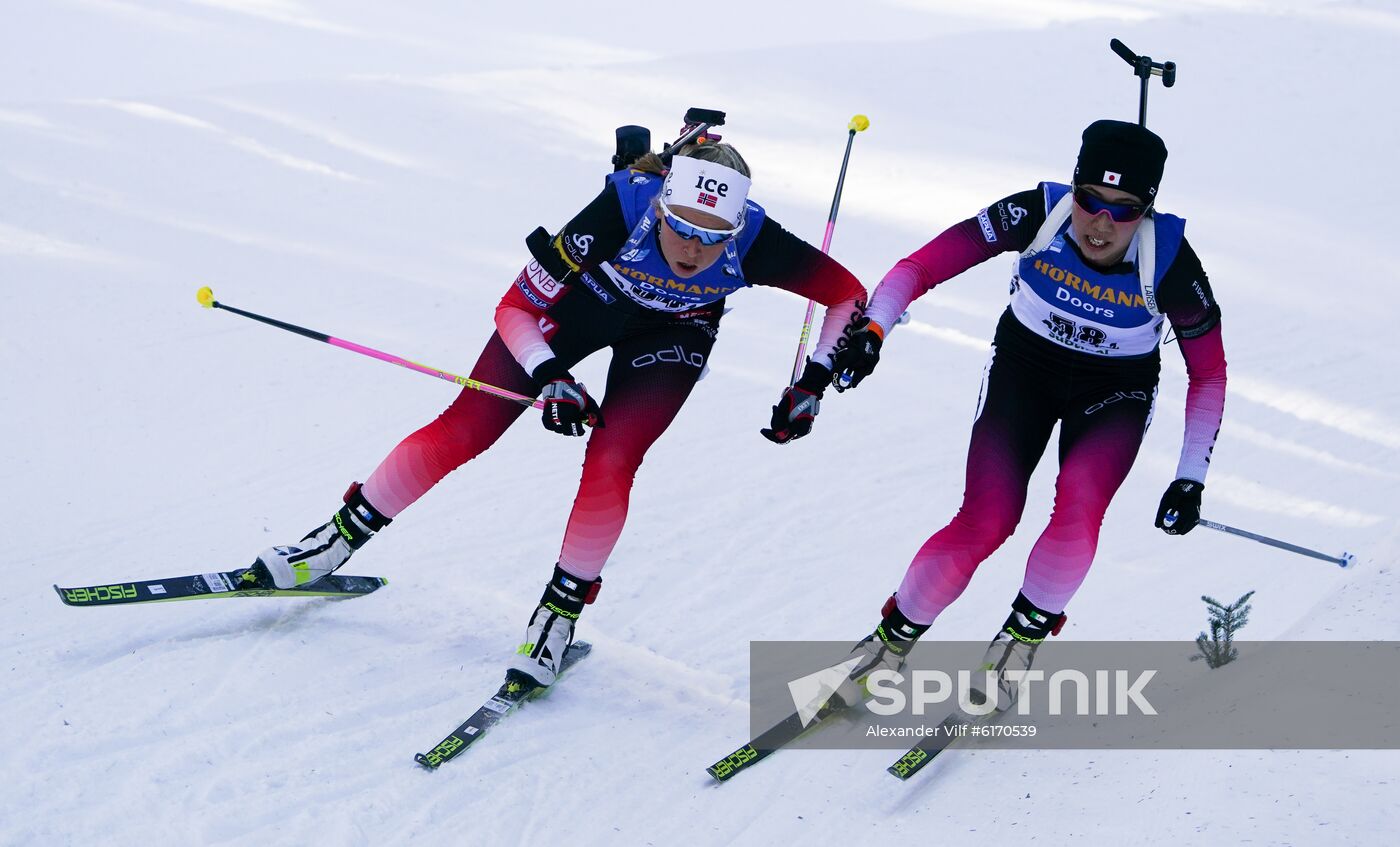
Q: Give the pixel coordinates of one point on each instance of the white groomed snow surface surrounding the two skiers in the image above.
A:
(370, 170)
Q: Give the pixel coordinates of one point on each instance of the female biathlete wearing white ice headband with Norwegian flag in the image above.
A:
(645, 269)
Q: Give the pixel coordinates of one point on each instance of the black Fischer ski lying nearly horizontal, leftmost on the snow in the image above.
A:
(250, 582)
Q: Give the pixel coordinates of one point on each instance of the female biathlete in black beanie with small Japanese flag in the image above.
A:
(1100, 274)
